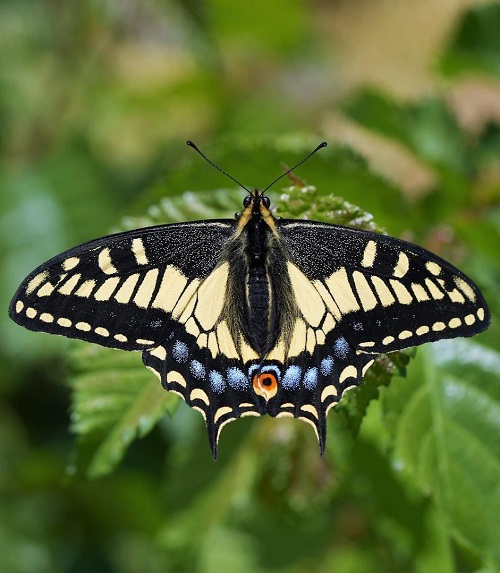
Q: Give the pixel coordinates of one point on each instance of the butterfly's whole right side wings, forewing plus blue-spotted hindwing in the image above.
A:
(359, 294)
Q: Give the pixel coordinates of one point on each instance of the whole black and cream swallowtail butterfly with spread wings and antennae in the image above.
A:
(252, 315)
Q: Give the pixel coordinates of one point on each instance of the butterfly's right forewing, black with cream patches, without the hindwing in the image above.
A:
(385, 294)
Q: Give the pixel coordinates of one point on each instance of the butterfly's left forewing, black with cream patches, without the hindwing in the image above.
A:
(124, 290)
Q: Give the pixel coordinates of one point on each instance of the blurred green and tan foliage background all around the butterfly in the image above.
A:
(97, 99)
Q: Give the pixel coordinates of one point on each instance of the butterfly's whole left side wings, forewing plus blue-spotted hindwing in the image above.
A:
(161, 290)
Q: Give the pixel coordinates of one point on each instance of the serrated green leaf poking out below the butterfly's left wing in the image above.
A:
(115, 401)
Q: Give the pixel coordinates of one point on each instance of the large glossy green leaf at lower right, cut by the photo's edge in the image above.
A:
(444, 423)
